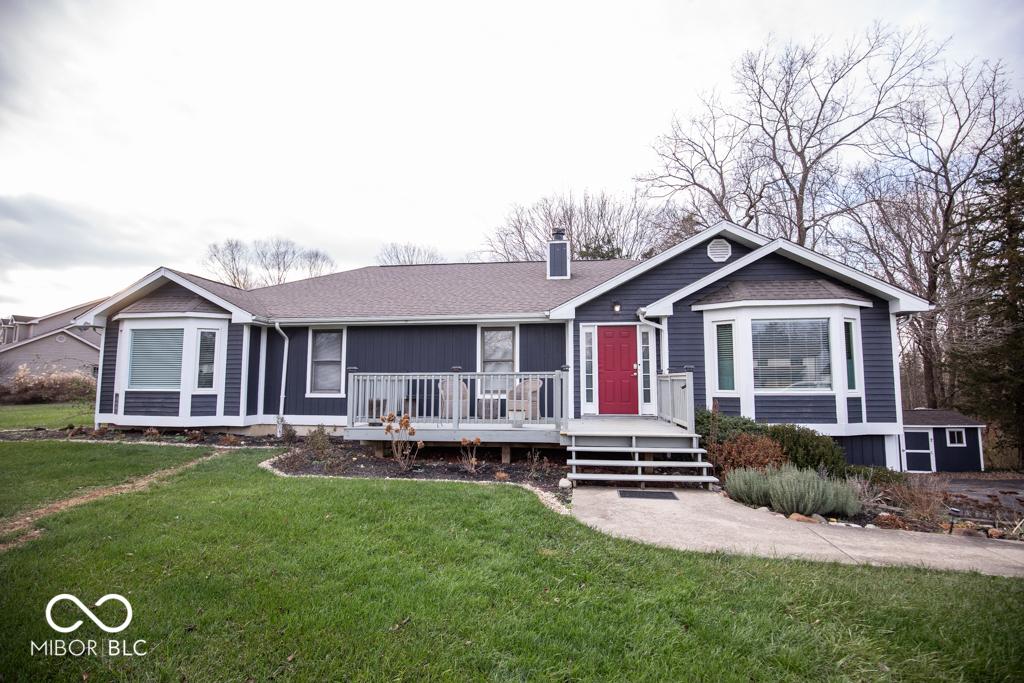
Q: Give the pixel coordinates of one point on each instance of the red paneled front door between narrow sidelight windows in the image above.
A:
(617, 370)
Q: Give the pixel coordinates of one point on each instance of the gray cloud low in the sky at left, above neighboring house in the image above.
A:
(37, 232)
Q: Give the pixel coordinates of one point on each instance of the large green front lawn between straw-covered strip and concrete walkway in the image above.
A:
(232, 571)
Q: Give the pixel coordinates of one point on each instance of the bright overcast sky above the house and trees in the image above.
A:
(133, 135)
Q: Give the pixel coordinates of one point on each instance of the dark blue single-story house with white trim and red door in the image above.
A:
(610, 359)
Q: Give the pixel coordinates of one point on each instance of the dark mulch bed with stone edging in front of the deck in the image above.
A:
(434, 463)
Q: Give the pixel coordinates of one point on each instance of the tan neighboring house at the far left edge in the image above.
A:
(50, 344)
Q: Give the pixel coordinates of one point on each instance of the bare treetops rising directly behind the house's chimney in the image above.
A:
(599, 226)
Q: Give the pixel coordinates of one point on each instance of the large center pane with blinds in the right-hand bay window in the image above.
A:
(791, 355)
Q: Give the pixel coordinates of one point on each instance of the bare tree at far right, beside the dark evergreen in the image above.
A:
(913, 207)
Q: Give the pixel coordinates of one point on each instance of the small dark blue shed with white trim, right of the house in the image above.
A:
(937, 441)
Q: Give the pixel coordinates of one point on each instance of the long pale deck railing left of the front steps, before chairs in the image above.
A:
(451, 400)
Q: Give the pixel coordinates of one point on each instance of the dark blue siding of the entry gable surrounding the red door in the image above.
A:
(650, 287)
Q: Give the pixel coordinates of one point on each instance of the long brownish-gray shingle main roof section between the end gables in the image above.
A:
(448, 289)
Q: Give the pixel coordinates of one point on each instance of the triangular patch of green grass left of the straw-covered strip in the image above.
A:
(33, 474)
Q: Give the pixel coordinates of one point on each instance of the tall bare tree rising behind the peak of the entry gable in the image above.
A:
(774, 158)
